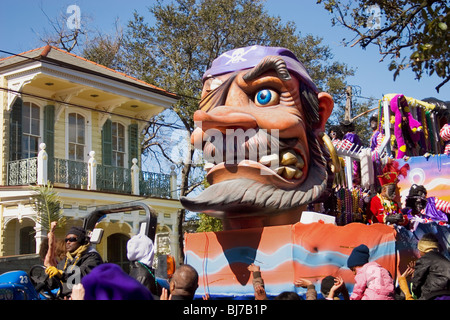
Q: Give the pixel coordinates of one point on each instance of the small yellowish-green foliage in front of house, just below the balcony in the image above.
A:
(48, 207)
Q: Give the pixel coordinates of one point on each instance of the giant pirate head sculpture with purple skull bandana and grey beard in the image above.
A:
(260, 125)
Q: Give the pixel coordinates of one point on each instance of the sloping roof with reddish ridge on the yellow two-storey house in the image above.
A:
(53, 55)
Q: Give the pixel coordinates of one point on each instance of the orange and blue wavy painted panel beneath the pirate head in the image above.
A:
(284, 253)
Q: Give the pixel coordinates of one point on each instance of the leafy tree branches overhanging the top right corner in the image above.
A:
(413, 33)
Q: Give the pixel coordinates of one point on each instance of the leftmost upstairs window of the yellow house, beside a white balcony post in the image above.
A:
(30, 130)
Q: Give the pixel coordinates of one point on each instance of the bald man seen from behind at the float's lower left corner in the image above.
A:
(183, 284)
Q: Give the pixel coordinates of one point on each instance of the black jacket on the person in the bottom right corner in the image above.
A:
(431, 276)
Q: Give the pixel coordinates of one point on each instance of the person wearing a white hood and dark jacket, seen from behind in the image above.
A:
(140, 253)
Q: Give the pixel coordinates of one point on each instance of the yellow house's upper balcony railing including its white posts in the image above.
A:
(90, 176)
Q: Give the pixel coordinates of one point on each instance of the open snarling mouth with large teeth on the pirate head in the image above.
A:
(261, 157)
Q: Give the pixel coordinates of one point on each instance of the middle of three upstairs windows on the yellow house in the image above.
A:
(77, 136)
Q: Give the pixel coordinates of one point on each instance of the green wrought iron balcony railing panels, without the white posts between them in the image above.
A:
(74, 174)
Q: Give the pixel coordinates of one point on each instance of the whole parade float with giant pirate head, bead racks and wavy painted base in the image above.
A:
(286, 193)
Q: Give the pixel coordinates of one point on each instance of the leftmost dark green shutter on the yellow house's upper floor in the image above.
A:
(15, 130)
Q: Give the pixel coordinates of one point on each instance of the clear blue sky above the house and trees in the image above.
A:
(21, 22)
